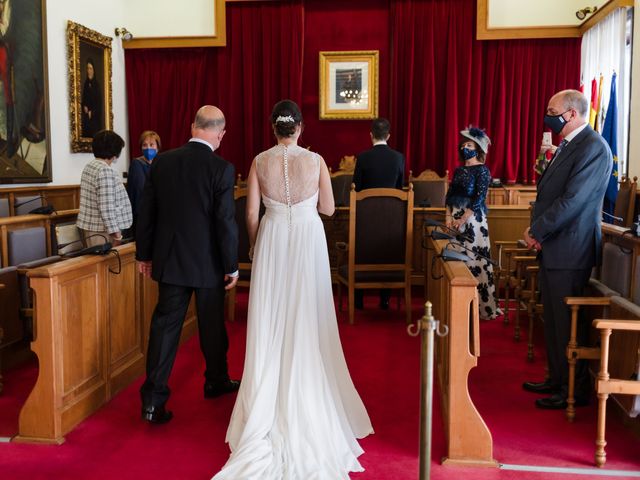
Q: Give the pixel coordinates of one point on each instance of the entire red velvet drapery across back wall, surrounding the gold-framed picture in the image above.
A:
(435, 79)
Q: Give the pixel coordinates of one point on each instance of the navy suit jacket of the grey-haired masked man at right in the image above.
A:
(567, 214)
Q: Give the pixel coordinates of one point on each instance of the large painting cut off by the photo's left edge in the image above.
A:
(25, 148)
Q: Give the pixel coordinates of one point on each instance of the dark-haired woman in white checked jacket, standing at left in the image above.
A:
(105, 210)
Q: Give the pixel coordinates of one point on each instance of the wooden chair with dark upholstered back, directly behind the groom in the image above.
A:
(379, 252)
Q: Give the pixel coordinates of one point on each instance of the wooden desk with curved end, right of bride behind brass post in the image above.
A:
(453, 293)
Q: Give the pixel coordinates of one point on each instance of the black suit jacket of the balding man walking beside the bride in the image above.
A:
(186, 220)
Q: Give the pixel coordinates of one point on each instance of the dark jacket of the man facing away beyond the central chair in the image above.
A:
(379, 167)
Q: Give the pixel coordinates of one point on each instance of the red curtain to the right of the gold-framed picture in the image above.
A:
(443, 80)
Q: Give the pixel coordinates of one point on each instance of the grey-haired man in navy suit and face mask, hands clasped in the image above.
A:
(566, 230)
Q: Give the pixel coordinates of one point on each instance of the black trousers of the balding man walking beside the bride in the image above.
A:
(164, 337)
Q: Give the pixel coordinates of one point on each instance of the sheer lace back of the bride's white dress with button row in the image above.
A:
(290, 182)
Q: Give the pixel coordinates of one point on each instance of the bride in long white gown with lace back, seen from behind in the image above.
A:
(298, 414)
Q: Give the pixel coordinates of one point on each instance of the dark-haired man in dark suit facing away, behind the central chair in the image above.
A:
(378, 167)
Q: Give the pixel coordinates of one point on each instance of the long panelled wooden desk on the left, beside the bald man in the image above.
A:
(91, 330)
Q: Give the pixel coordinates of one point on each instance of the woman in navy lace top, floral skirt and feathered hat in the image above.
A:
(467, 212)
